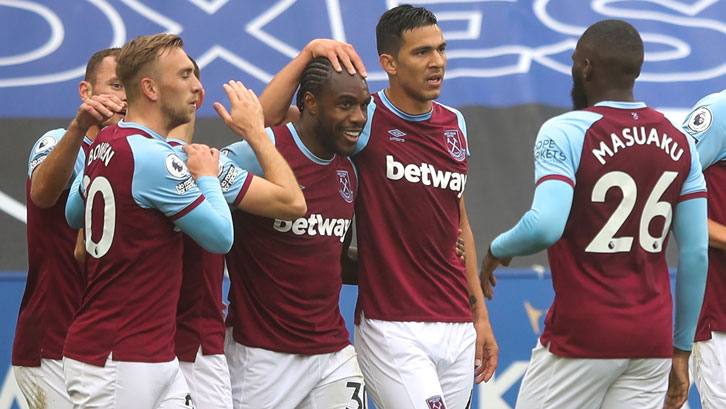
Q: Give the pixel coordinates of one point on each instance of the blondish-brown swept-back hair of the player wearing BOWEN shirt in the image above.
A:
(138, 54)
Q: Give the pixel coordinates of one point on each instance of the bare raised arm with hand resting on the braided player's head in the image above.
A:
(277, 96)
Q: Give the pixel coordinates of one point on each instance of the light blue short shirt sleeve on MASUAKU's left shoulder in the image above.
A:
(558, 148)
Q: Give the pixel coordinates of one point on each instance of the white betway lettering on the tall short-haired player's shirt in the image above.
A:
(426, 174)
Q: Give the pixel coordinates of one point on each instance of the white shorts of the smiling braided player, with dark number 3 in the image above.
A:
(263, 379)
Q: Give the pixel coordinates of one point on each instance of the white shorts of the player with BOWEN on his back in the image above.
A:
(121, 385)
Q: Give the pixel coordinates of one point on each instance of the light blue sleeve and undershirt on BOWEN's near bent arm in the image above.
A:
(163, 182)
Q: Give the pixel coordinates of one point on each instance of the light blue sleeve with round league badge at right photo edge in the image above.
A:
(706, 124)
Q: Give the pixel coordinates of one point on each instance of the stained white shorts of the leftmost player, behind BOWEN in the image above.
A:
(43, 386)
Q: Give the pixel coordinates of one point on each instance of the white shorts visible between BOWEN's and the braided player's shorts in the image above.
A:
(208, 379)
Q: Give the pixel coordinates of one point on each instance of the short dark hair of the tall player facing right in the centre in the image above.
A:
(394, 22)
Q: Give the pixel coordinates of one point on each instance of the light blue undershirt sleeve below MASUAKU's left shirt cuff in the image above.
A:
(542, 225)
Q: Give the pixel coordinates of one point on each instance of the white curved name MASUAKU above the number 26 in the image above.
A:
(637, 136)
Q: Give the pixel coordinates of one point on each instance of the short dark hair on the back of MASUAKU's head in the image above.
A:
(618, 43)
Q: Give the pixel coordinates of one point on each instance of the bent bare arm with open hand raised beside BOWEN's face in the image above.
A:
(278, 195)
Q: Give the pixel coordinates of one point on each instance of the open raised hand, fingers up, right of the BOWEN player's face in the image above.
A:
(245, 117)
